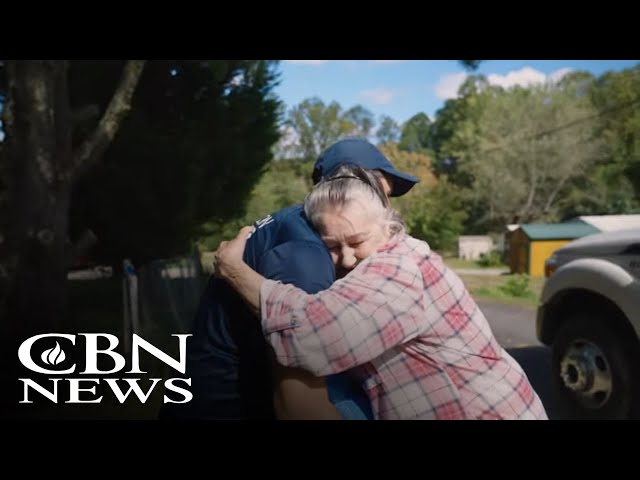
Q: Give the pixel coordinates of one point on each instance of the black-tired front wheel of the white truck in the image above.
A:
(593, 369)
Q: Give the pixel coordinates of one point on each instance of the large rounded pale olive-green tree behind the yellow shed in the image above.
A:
(525, 149)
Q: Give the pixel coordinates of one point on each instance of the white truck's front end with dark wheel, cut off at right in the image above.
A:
(589, 313)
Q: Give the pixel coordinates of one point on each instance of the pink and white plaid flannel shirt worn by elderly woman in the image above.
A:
(406, 327)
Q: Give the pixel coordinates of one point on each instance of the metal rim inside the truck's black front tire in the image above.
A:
(586, 373)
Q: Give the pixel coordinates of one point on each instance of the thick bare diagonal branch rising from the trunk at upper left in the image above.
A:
(91, 149)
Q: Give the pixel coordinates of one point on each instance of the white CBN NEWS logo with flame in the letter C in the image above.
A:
(56, 355)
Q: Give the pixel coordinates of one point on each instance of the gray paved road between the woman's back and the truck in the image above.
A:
(514, 327)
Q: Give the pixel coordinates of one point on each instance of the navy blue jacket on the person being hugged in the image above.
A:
(228, 360)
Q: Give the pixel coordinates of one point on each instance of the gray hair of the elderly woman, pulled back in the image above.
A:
(345, 185)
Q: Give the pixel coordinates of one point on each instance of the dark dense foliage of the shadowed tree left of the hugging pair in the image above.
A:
(191, 150)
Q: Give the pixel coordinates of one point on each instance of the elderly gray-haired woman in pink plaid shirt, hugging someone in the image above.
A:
(400, 321)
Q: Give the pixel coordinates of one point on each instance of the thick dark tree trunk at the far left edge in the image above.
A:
(38, 143)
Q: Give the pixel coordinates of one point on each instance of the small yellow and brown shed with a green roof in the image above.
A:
(530, 244)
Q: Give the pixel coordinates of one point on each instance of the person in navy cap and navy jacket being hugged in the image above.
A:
(233, 374)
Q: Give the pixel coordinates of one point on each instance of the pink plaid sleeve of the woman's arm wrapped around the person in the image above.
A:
(379, 305)
